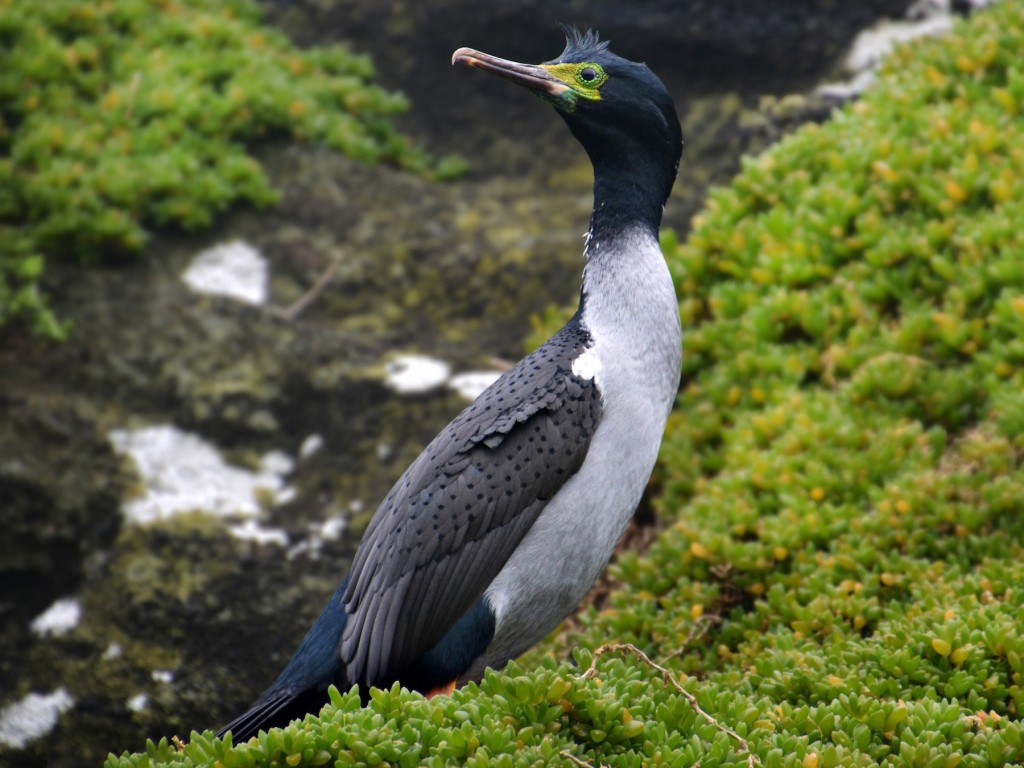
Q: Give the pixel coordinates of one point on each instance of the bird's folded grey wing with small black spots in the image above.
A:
(451, 523)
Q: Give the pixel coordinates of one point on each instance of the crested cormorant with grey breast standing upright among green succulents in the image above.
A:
(501, 527)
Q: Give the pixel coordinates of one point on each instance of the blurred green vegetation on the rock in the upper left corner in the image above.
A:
(122, 116)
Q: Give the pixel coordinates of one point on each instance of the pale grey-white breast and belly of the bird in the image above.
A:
(632, 315)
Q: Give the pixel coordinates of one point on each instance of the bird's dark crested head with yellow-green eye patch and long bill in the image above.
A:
(619, 110)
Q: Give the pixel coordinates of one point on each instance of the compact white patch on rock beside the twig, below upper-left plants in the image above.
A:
(234, 270)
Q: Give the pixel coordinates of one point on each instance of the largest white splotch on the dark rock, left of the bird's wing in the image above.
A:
(185, 474)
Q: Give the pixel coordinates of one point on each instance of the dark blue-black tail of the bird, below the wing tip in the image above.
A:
(302, 689)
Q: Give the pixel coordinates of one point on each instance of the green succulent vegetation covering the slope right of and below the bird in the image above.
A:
(839, 581)
